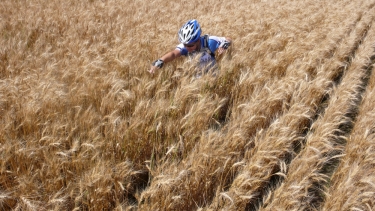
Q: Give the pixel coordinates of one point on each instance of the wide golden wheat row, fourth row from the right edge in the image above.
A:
(216, 158)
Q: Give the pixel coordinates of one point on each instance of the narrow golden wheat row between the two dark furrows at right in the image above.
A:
(309, 171)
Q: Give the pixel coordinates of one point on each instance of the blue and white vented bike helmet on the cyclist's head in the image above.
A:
(189, 32)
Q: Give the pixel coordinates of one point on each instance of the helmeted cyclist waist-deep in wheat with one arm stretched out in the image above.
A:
(193, 44)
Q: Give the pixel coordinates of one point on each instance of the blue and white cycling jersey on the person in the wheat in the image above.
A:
(207, 53)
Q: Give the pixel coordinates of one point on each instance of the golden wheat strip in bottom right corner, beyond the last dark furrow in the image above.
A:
(352, 183)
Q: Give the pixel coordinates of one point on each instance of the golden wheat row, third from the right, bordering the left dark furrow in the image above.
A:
(273, 150)
